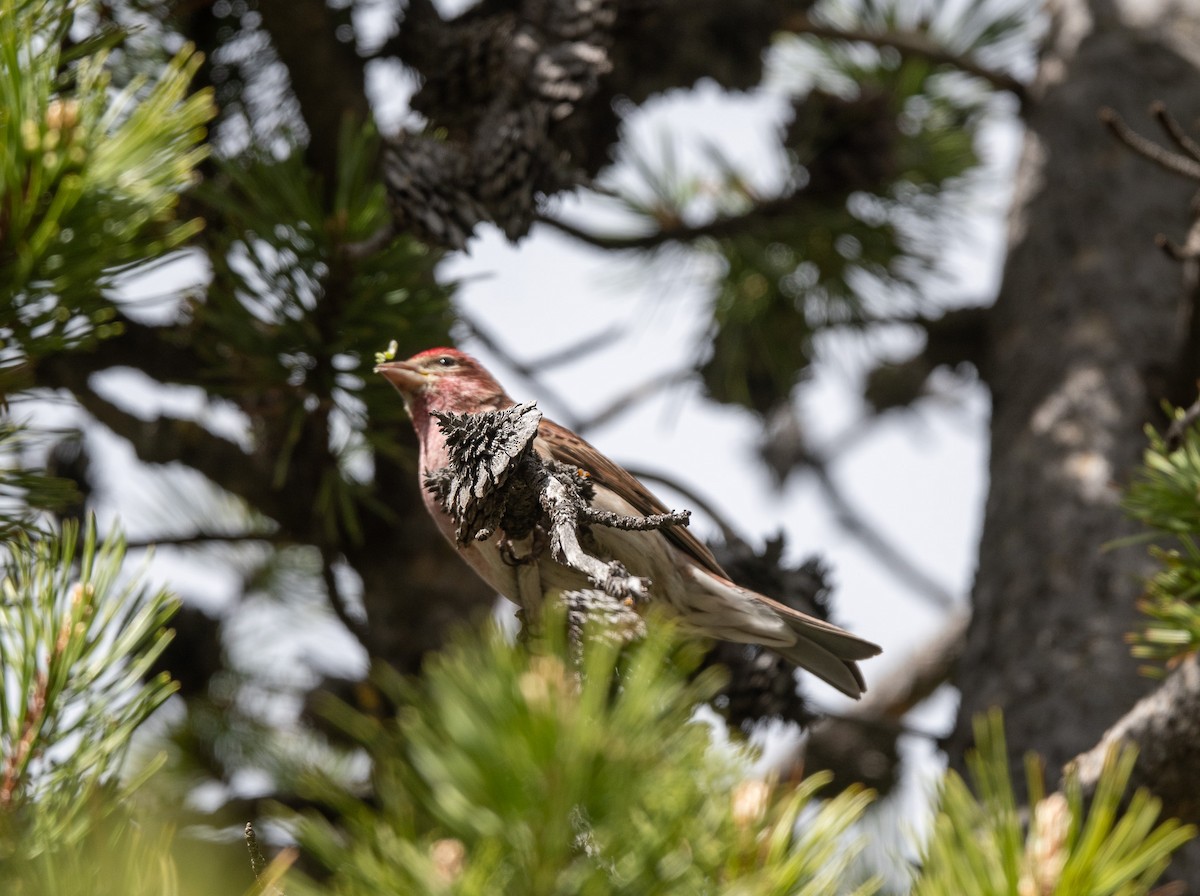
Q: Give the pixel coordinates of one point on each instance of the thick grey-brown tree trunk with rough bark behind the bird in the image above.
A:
(1085, 322)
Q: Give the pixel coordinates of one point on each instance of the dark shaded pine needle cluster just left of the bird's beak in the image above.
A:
(293, 304)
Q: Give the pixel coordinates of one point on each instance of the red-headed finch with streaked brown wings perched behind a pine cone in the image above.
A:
(685, 576)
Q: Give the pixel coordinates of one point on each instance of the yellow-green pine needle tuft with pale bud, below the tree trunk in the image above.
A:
(981, 844)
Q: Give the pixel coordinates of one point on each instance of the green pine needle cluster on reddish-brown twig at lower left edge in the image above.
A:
(77, 642)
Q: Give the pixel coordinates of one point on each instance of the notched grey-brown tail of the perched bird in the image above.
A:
(823, 648)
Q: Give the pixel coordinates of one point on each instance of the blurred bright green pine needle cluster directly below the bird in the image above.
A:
(505, 773)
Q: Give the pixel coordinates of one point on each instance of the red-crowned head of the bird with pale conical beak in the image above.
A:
(445, 380)
